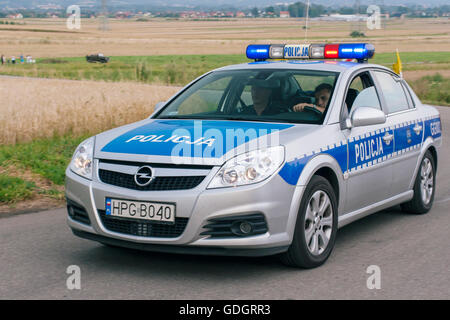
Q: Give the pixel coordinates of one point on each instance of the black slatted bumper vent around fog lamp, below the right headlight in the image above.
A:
(227, 227)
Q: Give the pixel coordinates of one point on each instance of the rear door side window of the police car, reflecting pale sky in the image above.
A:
(392, 91)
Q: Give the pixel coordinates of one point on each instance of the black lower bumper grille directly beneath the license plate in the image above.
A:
(143, 228)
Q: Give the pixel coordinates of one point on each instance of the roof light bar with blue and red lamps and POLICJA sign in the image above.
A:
(358, 51)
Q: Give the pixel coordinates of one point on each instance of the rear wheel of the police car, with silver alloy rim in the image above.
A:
(424, 187)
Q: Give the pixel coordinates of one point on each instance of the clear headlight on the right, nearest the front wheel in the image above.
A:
(248, 168)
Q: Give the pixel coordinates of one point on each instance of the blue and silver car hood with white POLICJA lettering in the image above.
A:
(193, 141)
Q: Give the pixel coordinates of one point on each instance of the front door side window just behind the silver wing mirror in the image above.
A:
(362, 93)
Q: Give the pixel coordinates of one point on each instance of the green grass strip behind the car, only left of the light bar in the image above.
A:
(172, 70)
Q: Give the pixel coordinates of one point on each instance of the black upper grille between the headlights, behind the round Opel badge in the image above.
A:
(158, 184)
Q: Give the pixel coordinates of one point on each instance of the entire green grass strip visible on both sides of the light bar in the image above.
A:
(180, 69)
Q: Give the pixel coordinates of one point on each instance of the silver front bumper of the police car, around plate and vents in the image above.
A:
(272, 198)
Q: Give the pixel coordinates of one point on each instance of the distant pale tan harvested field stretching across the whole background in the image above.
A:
(157, 36)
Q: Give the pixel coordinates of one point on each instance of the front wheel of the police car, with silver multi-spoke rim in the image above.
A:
(317, 224)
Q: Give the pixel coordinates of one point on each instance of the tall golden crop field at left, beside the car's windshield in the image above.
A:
(40, 108)
